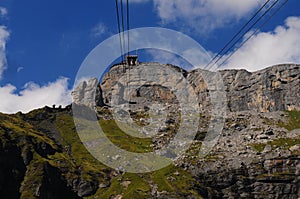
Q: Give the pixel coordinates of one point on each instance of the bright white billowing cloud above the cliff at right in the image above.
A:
(270, 48)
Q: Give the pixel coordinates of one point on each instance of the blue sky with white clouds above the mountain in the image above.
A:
(43, 43)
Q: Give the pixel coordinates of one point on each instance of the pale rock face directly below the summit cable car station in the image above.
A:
(120, 79)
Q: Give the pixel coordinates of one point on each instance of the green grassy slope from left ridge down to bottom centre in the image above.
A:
(75, 161)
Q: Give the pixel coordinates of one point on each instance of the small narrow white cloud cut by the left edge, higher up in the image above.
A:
(4, 35)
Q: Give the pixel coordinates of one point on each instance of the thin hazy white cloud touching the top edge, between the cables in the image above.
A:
(203, 15)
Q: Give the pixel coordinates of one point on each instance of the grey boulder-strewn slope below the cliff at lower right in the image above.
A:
(253, 159)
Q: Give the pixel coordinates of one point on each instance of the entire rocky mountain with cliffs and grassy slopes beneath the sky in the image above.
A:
(257, 154)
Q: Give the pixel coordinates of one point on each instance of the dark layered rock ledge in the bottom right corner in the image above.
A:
(268, 179)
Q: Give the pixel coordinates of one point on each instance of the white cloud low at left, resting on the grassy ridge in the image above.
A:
(34, 96)
